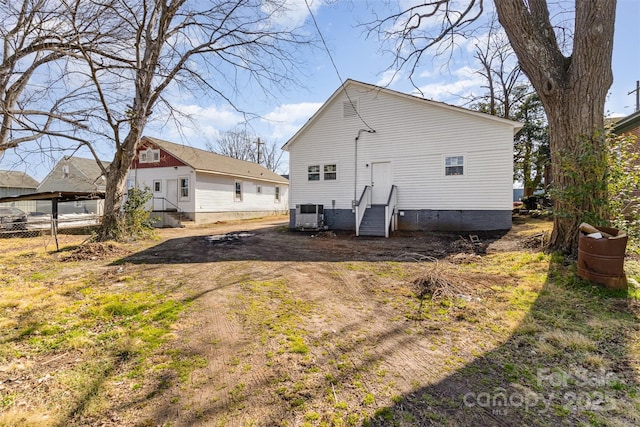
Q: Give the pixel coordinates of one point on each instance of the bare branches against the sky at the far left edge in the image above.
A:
(33, 94)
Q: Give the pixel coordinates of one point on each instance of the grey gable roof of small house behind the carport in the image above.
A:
(84, 175)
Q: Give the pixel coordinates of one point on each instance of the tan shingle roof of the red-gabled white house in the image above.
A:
(208, 162)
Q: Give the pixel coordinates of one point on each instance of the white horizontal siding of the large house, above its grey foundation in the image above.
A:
(415, 137)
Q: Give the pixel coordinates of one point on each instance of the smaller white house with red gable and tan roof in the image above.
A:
(204, 186)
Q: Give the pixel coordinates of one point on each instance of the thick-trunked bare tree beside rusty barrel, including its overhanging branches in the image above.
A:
(572, 82)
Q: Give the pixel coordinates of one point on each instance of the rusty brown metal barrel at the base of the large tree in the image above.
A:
(602, 260)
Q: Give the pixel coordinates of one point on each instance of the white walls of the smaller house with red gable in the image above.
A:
(211, 192)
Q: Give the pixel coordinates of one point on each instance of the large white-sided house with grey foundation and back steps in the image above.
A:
(449, 168)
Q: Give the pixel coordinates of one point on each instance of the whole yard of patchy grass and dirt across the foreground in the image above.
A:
(271, 327)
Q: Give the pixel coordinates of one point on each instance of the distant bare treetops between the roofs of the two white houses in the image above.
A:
(240, 144)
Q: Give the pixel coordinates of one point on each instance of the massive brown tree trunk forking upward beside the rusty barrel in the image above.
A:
(573, 91)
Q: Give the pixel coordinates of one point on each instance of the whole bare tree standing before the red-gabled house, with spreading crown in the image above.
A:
(153, 48)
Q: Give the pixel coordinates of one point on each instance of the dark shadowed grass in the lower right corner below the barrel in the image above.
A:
(571, 361)
